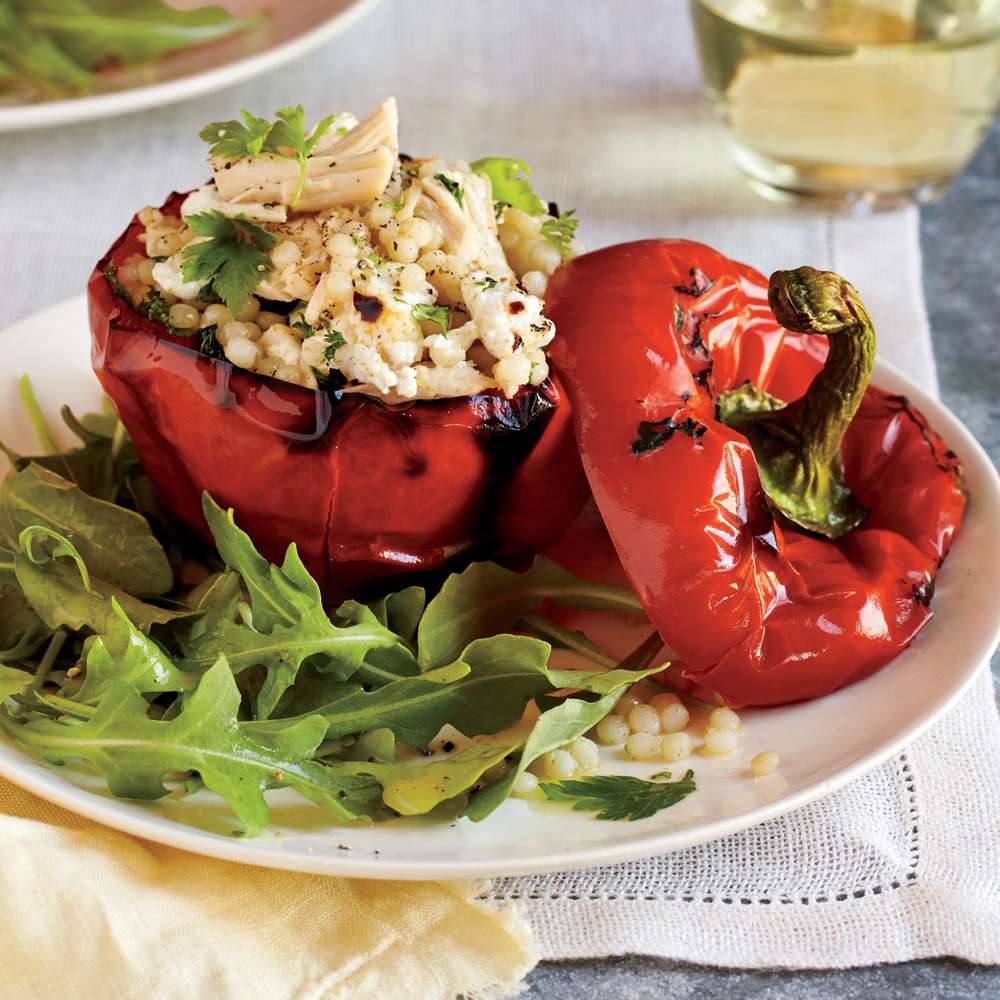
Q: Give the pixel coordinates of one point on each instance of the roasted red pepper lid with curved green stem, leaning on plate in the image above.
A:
(659, 341)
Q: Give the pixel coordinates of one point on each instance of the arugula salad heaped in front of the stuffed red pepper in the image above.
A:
(168, 664)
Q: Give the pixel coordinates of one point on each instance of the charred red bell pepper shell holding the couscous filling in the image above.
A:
(367, 491)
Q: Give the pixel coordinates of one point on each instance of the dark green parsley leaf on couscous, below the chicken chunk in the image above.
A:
(232, 257)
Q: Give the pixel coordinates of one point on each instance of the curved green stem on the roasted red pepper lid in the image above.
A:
(798, 445)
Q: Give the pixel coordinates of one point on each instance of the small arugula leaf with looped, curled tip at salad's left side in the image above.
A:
(70, 596)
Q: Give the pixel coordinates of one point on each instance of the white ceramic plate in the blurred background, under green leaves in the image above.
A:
(293, 28)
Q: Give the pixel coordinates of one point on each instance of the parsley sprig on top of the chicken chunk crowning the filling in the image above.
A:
(285, 137)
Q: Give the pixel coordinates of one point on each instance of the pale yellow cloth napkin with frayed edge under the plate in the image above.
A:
(89, 912)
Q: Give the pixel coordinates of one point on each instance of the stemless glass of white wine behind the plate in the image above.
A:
(852, 105)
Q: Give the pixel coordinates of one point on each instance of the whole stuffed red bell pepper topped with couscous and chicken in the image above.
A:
(347, 346)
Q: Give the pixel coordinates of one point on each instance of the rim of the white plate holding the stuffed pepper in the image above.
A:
(130, 818)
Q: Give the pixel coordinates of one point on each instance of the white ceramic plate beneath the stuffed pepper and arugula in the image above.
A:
(823, 744)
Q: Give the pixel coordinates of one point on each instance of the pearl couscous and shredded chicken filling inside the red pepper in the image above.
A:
(395, 277)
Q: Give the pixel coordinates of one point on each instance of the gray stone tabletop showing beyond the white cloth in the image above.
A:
(962, 283)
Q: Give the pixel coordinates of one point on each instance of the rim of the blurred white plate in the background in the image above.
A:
(47, 114)
